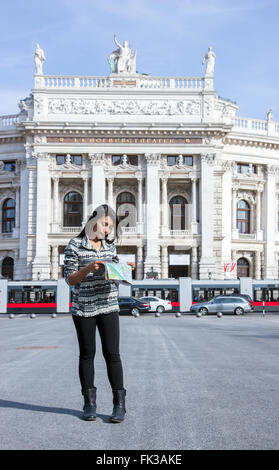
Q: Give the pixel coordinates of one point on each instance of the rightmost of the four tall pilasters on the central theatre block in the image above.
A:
(207, 262)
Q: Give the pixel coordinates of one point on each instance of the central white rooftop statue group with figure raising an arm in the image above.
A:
(122, 59)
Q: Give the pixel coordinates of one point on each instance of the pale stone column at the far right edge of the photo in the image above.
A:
(271, 271)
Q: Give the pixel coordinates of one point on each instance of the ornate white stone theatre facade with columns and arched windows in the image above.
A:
(200, 184)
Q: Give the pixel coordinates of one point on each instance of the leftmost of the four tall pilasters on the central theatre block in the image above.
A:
(41, 262)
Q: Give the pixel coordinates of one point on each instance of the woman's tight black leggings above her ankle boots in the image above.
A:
(108, 326)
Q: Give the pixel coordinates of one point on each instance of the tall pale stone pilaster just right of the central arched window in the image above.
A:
(152, 214)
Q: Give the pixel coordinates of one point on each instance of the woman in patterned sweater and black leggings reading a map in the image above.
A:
(95, 303)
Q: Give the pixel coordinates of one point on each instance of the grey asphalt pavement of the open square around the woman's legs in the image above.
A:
(192, 384)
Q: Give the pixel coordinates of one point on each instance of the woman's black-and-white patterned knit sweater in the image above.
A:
(94, 294)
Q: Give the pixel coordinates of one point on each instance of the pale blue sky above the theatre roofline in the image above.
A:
(171, 38)
